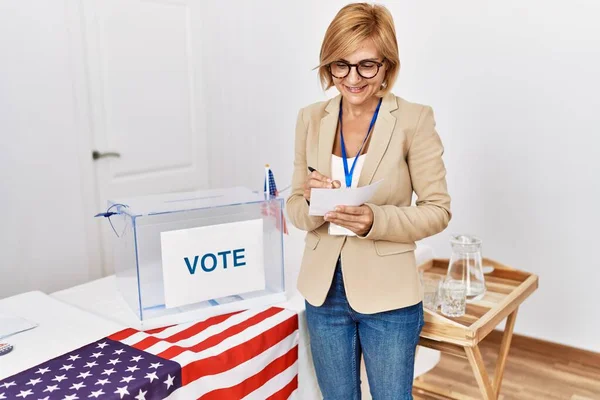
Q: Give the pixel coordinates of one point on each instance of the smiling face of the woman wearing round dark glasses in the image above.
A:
(355, 88)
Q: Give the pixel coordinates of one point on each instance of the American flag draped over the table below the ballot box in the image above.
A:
(250, 354)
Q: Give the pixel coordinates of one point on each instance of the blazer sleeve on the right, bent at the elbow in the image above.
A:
(432, 213)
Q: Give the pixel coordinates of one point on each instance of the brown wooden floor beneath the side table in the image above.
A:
(534, 370)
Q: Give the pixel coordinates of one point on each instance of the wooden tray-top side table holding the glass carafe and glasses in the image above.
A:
(506, 288)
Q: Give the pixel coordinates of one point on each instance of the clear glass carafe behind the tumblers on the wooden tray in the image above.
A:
(466, 265)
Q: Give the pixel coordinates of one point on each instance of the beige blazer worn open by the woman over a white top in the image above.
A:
(406, 152)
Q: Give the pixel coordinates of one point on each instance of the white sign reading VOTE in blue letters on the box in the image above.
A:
(210, 262)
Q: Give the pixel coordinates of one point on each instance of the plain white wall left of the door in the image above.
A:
(43, 224)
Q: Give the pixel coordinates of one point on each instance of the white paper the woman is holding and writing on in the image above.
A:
(324, 200)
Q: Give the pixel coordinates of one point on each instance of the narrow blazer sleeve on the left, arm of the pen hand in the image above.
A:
(296, 205)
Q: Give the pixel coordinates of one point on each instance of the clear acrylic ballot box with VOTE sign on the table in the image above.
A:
(198, 253)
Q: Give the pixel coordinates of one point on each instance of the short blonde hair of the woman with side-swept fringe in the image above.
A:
(351, 26)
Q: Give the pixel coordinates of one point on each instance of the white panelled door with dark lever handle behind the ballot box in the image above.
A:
(144, 64)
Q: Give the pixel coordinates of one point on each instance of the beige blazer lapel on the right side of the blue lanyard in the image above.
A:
(382, 133)
